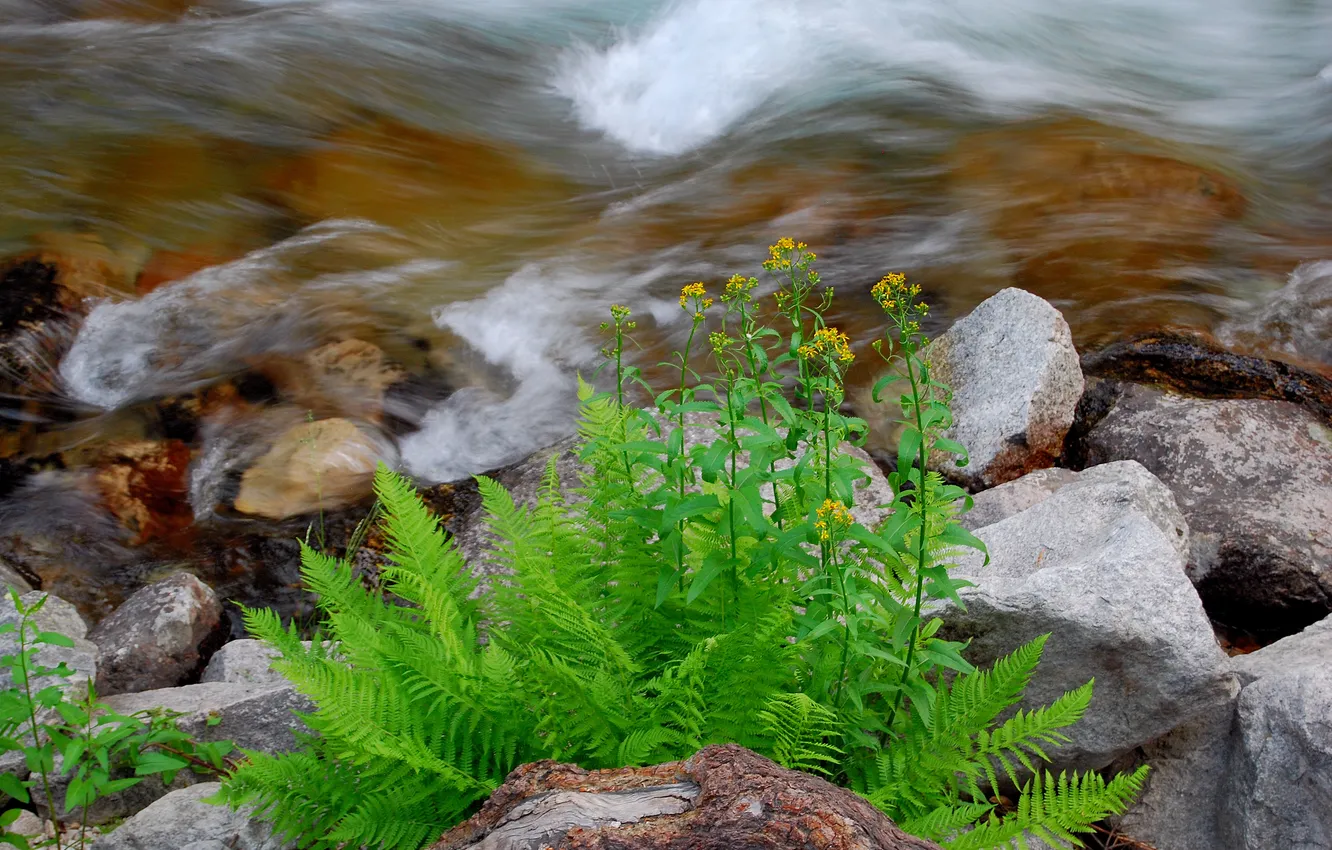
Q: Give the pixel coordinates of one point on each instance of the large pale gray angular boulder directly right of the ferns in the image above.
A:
(1100, 566)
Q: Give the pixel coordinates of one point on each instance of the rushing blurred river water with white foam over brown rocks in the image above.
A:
(470, 185)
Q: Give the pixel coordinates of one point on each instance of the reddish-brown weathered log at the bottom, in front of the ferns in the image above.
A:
(723, 799)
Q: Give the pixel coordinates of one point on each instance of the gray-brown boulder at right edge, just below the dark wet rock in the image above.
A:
(1255, 482)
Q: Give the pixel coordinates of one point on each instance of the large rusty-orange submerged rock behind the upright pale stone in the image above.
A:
(1090, 212)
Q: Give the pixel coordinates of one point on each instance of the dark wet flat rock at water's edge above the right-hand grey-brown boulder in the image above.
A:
(1195, 366)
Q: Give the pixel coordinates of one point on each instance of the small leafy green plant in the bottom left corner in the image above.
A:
(95, 748)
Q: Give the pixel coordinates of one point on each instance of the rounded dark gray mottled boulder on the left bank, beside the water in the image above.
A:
(157, 639)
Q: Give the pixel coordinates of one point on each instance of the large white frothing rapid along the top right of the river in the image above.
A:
(699, 69)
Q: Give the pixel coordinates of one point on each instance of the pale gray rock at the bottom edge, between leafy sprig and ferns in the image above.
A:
(183, 821)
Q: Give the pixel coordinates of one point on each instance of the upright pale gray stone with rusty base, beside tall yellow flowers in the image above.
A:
(1016, 383)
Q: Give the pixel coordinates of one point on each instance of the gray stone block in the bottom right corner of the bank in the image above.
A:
(1279, 789)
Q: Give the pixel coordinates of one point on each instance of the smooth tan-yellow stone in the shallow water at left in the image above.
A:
(314, 467)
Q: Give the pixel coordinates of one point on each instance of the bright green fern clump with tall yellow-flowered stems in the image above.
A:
(708, 583)
